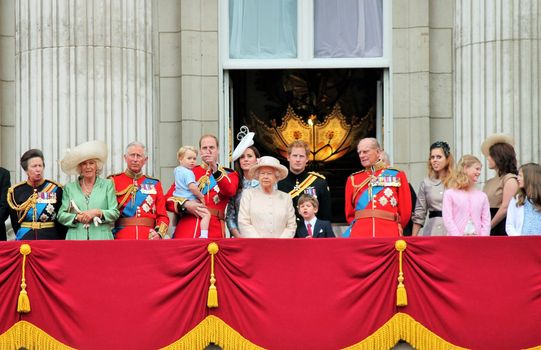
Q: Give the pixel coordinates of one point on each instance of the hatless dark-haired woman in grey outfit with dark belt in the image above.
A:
(430, 195)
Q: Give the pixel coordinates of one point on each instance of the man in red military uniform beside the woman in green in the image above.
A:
(141, 201)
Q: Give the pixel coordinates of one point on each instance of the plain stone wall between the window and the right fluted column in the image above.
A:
(421, 81)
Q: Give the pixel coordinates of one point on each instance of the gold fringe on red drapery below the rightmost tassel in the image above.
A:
(403, 327)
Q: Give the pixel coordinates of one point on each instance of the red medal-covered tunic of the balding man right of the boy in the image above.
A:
(380, 188)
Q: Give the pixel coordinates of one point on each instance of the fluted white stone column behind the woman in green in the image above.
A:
(83, 72)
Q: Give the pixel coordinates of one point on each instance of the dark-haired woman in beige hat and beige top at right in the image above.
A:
(501, 157)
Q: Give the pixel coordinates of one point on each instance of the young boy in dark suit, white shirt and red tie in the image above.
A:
(311, 226)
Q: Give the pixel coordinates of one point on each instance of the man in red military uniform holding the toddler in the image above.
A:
(216, 183)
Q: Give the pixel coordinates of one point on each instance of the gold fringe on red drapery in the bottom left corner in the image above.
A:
(25, 335)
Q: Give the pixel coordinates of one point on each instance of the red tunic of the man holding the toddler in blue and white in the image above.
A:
(217, 188)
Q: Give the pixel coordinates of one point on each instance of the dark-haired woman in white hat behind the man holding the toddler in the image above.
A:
(244, 157)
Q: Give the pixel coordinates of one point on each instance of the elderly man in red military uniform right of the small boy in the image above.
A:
(378, 202)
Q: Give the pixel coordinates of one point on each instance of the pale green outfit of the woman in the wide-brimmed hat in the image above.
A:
(102, 197)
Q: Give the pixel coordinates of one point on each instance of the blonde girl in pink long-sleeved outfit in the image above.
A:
(465, 209)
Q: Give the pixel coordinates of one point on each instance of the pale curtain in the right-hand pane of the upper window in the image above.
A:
(348, 28)
